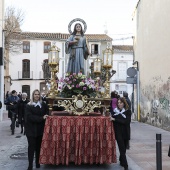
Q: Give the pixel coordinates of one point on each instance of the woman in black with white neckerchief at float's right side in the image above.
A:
(121, 117)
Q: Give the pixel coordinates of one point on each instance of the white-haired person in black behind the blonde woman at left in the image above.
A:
(21, 110)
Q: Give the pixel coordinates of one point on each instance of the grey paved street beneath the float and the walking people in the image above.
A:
(141, 156)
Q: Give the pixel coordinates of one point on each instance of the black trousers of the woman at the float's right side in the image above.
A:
(122, 144)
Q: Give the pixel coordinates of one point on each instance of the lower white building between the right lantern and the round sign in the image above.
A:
(122, 60)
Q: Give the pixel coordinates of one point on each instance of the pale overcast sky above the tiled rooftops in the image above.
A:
(115, 16)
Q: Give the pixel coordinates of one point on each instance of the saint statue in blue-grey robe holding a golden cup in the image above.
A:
(77, 48)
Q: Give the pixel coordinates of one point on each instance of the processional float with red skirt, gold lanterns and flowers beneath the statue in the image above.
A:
(83, 132)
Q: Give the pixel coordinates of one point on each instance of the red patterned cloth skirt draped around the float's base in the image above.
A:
(78, 139)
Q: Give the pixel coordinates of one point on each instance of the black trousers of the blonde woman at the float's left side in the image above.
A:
(34, 145)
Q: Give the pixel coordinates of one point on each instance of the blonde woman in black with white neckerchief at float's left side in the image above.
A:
(35, 114)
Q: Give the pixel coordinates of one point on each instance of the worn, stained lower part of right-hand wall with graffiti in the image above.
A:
(155, 103)
